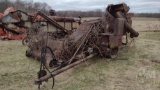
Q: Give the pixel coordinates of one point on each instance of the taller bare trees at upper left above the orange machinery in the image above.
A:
(27, 6)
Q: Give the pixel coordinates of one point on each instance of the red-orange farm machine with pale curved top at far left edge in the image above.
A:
(9, 30)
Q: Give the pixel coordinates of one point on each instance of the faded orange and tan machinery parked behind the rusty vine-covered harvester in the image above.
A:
(18, 24)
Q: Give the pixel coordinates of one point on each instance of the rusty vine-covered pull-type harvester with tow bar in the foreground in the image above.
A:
(95, 37)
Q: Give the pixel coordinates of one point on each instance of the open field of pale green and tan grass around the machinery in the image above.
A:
(133, 69)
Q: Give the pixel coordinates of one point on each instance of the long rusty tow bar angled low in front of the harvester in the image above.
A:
(37, 81)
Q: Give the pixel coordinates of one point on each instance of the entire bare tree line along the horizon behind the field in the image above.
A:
(32, 7)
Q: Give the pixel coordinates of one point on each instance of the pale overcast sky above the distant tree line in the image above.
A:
(84, 5)
